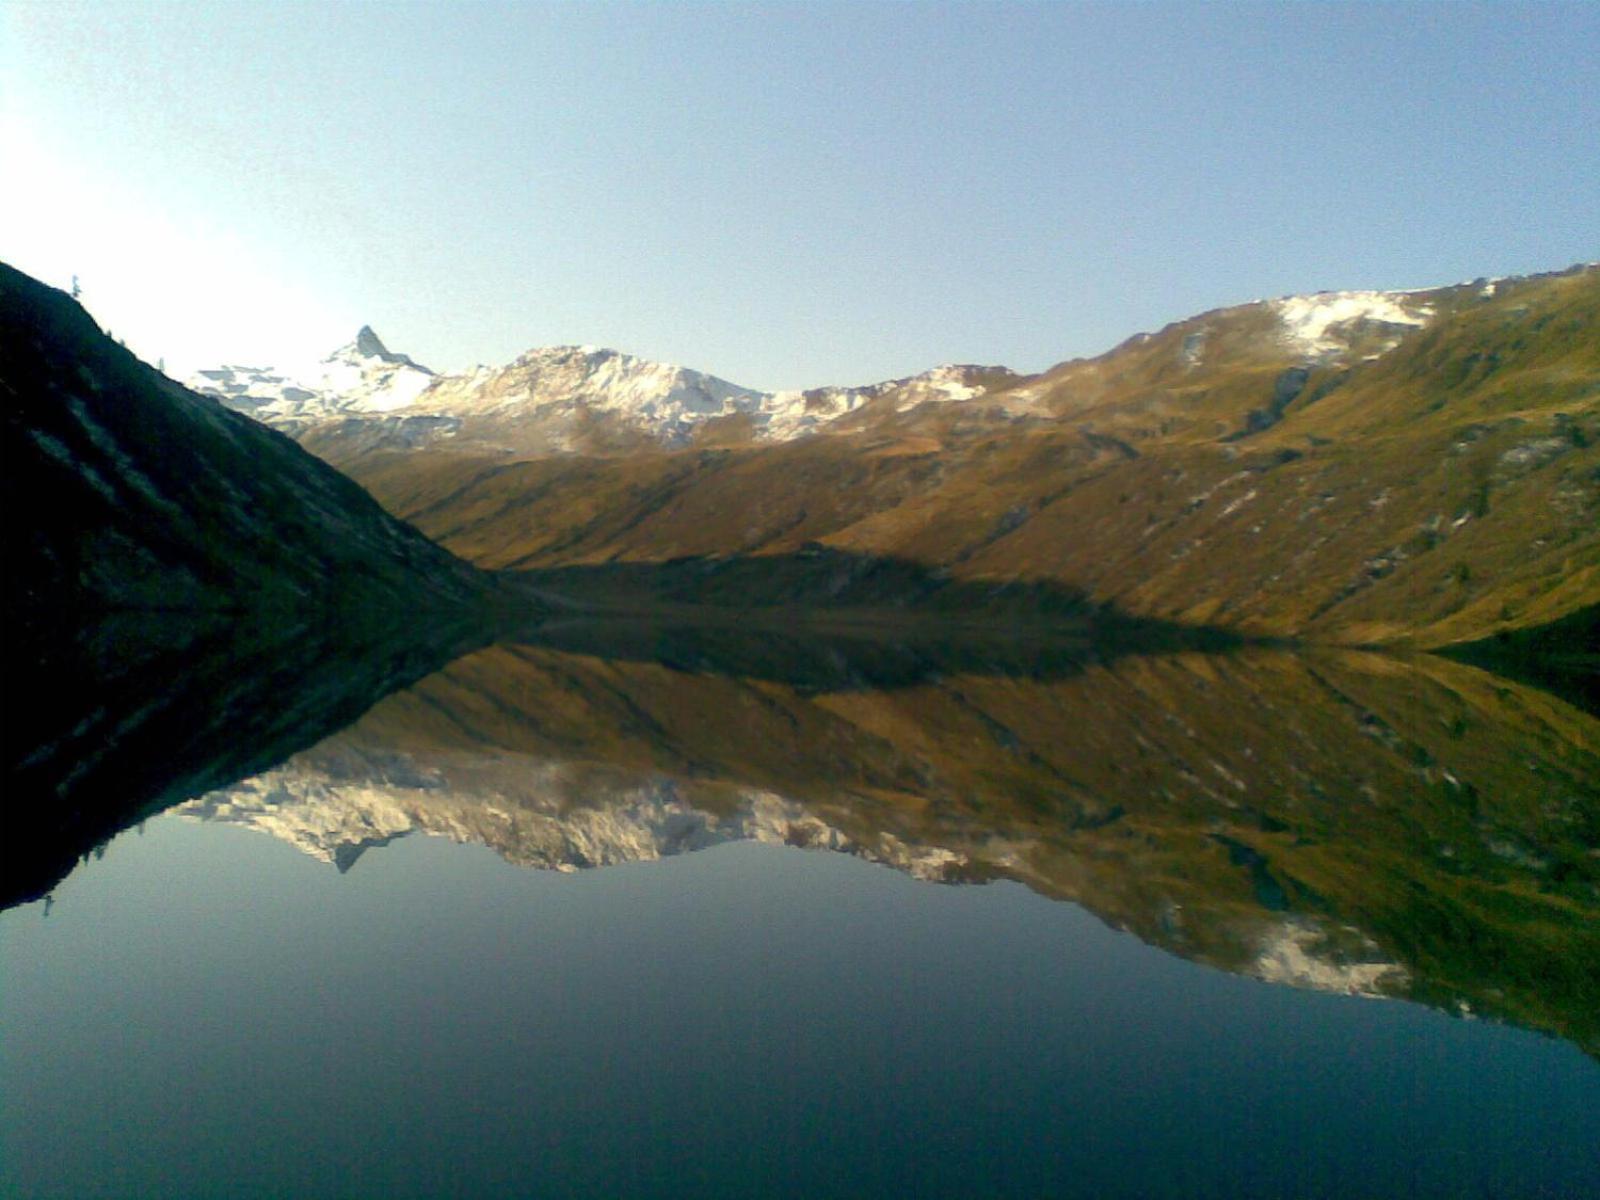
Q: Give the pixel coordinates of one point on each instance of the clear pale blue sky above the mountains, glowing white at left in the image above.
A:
(785, 196)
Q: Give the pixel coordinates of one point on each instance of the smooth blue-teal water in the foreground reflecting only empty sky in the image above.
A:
(209, 1012)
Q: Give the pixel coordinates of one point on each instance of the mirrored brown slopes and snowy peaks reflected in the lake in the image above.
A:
(1338, 822)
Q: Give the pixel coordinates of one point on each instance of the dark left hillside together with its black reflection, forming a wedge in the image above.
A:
(188, 594)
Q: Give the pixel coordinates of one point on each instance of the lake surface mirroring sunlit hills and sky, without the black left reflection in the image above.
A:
(210, 1012)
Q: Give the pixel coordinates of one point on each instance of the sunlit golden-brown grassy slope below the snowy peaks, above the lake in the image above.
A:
(1423, 486)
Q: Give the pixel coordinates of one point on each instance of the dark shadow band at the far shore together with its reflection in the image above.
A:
(826, 620)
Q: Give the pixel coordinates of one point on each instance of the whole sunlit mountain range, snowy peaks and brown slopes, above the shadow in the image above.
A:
(1366, 466)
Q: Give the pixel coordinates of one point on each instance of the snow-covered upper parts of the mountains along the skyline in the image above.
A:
(566, 399)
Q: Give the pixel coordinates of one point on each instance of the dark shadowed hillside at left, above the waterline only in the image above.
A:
(126, 490)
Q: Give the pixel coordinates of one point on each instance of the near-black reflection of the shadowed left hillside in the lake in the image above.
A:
(118, 719)
